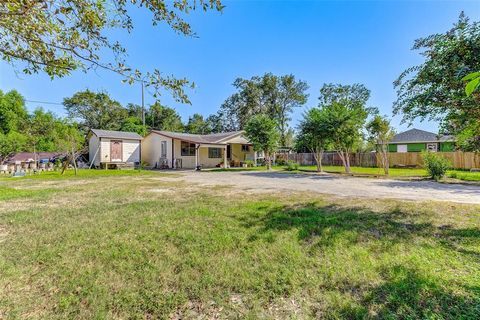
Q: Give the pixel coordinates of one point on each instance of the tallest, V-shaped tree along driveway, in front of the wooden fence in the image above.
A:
(345, 113)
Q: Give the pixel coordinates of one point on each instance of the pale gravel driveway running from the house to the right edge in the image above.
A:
(338, 185)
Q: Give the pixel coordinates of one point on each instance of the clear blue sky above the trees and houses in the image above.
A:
(365, 42)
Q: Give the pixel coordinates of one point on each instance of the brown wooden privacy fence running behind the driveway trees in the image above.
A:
(458, 159)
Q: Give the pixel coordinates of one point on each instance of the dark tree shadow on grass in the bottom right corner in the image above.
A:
(406, 294)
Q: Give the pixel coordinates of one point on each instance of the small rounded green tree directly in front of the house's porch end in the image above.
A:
(262, 132)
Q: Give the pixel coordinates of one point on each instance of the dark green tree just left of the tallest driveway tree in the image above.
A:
(314, 134)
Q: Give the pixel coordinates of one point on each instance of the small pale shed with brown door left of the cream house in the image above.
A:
(113, 147)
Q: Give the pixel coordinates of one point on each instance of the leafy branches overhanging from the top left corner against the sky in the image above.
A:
(60, 36)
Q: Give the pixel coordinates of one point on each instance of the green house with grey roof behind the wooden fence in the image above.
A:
(415, 140)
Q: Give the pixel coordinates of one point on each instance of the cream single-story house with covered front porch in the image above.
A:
(165, 149)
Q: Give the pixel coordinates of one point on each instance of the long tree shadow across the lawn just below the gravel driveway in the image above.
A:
(328, 223)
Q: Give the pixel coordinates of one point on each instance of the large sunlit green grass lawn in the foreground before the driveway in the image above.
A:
(130, 245)
